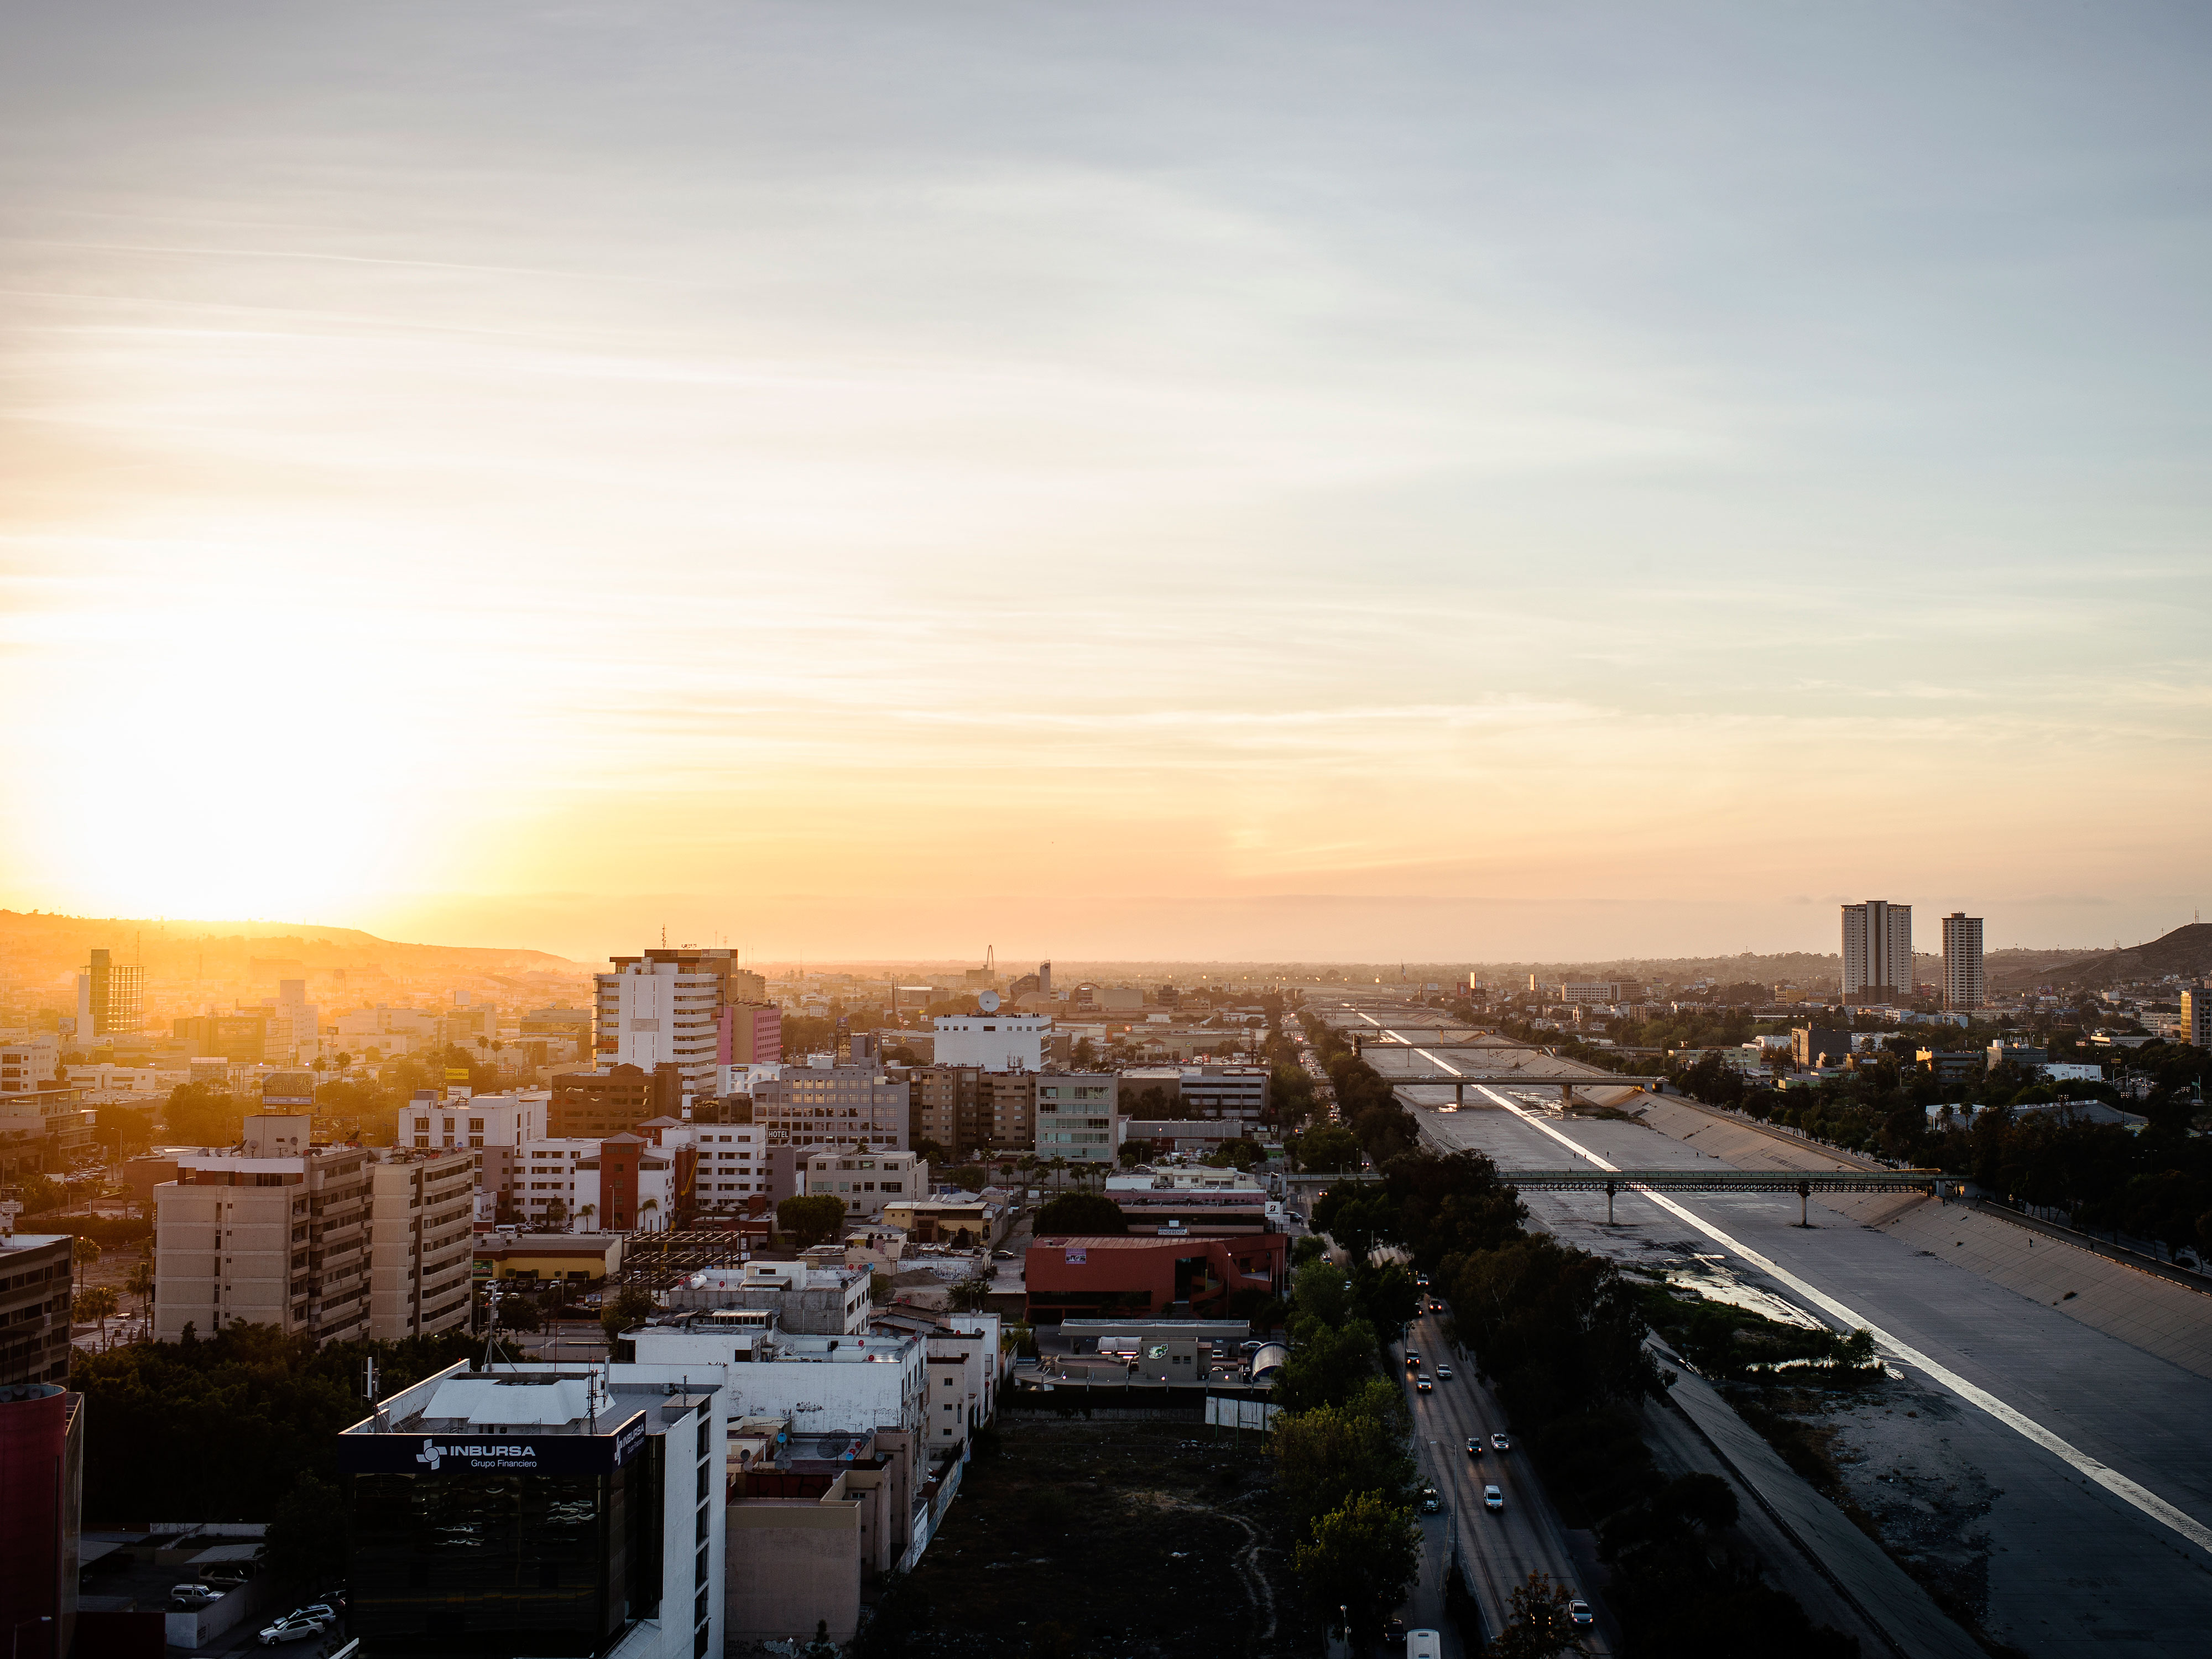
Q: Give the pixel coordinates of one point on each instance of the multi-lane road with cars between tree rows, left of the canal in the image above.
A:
(1527, 1536)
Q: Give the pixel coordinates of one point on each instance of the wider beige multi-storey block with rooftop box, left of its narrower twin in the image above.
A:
(271, 1233)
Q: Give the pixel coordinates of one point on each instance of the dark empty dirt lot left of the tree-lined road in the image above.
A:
(1109, 1541)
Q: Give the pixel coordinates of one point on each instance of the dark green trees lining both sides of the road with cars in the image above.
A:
(1561, 1335)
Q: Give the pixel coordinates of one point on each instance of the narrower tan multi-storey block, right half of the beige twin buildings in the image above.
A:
(421, 1242)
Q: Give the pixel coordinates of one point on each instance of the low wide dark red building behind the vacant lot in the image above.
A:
(1149, 1275)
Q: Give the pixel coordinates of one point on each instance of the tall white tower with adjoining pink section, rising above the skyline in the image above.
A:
(656, 1008)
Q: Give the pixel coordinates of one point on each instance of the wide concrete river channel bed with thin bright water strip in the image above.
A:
(2052, 1477)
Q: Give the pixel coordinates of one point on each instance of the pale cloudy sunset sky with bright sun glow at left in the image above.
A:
(1129, 481)
